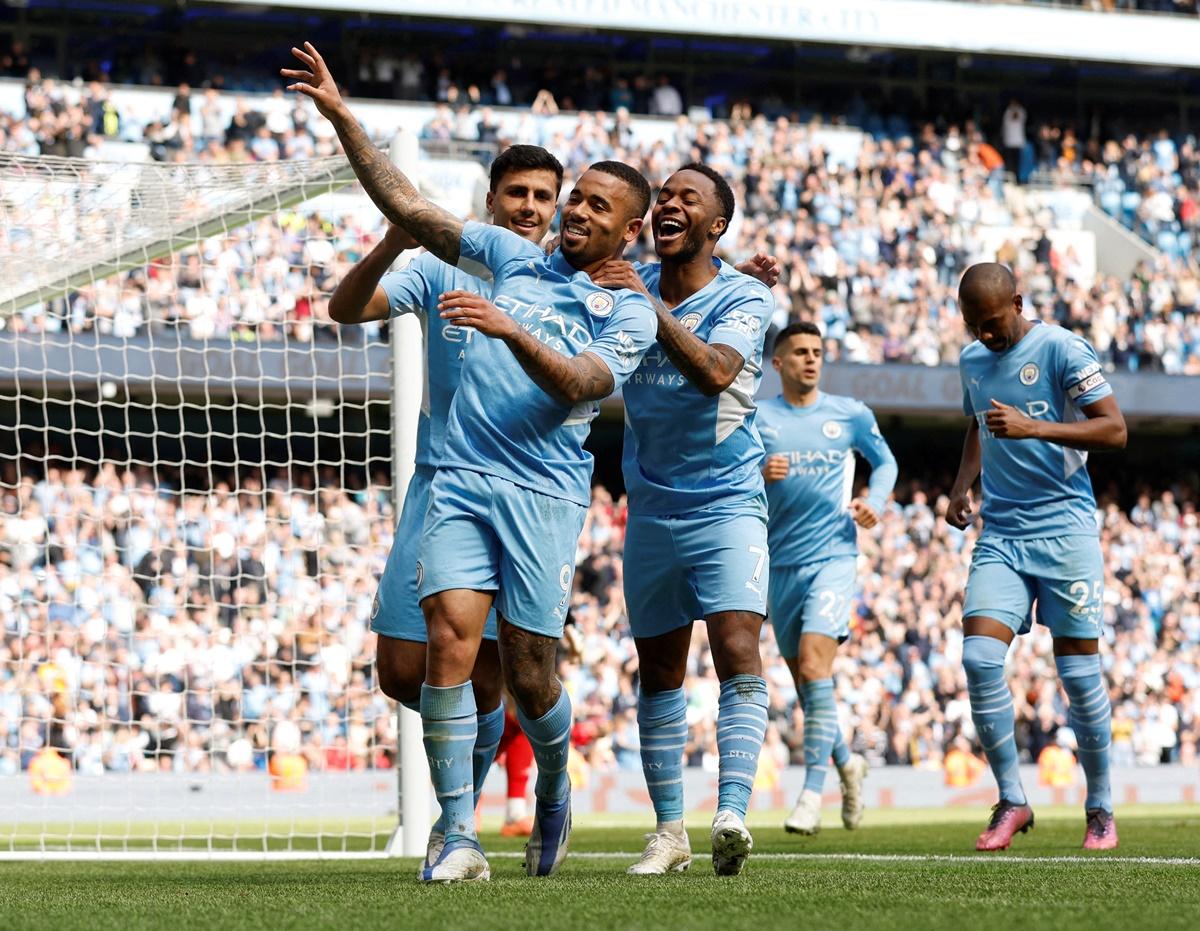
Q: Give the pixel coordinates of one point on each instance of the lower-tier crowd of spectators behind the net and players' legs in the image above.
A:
(146, 627)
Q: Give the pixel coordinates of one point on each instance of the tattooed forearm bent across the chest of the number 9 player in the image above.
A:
(571, 381)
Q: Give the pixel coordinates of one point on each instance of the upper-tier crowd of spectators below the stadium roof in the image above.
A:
(872, 239)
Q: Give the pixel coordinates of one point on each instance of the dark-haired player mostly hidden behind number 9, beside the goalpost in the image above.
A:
(523, 197)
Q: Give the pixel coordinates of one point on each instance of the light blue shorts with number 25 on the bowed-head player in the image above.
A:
(1064, 576)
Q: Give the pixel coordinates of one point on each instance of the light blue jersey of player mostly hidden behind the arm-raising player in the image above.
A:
(416, 290)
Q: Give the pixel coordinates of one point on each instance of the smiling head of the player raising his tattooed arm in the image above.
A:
(599, 219)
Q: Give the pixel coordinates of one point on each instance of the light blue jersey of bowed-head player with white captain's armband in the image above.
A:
(1034, 489)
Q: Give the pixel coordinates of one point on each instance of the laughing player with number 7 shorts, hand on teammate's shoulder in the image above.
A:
(697, 542)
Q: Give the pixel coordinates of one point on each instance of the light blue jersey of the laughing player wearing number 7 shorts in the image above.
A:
(686, 452)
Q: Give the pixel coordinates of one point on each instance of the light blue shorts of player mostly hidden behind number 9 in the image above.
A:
(397, 611)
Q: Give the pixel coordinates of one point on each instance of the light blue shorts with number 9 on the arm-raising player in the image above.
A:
(488, 534)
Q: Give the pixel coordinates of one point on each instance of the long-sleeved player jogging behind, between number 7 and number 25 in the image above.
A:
(811, 440)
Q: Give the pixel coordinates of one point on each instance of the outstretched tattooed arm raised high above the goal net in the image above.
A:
(398, 200)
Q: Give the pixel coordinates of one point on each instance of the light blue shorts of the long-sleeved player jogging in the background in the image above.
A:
(812, 599)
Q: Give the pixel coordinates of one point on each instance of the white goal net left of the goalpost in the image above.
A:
(195, 506)
